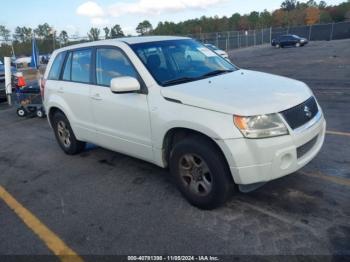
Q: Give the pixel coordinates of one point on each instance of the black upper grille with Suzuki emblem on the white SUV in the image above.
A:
(301, 114)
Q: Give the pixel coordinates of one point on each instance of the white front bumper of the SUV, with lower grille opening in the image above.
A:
(261, 160)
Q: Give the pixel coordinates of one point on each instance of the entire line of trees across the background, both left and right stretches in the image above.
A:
(290, 13)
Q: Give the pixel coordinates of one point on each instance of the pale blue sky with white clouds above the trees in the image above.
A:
(78, 16)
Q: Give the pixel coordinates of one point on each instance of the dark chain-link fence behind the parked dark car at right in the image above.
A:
(237, 39)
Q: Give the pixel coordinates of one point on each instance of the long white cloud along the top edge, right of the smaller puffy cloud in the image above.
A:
(152, 7)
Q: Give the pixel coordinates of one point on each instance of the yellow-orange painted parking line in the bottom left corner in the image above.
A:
(51, 240)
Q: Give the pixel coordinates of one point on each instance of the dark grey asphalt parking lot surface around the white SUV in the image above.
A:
(101, 202)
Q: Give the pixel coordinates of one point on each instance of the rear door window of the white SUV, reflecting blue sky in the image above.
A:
(81, 66)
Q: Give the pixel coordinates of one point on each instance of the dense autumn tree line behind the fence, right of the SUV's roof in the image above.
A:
(291, 13)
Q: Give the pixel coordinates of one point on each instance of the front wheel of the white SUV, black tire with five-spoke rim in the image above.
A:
(200, 173)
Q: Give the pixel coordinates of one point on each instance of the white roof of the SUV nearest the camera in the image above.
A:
(128, 40)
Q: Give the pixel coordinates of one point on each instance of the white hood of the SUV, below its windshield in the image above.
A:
(242, 92)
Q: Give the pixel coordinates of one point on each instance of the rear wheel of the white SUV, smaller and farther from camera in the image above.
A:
(65, 136)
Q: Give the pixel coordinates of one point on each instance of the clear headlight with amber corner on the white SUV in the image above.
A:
(261, 126)
